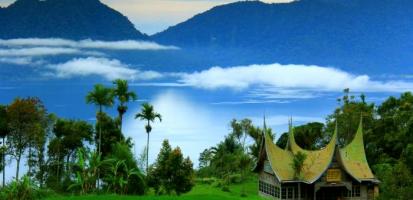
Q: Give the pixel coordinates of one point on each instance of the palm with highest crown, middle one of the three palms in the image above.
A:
(121, 91)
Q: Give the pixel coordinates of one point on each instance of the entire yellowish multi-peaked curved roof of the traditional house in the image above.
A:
(317, 162)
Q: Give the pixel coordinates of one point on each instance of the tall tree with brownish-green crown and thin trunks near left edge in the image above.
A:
(25, 118)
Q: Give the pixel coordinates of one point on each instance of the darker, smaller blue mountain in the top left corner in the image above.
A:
(71, 19)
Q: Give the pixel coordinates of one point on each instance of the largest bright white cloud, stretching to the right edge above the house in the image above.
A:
(289, 79)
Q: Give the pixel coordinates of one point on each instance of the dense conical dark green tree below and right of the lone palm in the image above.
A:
(171, 172)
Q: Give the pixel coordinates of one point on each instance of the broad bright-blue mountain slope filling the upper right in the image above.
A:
(362, 35)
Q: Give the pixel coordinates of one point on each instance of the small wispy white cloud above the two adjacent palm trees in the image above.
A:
(108, 69)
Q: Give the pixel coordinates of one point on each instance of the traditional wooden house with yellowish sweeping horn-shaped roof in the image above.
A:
(331, 173)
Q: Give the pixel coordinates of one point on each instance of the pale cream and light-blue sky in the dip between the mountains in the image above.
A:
(152, 16)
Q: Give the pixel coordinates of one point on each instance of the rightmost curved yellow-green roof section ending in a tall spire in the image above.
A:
(353, 158)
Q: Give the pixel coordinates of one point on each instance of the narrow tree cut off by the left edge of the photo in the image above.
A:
(3, 134)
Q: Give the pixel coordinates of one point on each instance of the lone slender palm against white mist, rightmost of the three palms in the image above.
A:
(149, 115)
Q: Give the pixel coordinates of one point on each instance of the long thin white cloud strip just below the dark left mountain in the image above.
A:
(86, 44)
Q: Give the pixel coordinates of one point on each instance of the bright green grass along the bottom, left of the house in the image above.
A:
(199, 192)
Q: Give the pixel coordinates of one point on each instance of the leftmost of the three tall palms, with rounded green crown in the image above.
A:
(101, 96)
